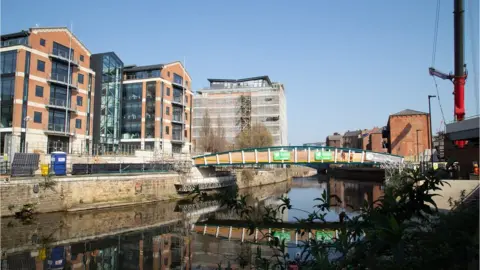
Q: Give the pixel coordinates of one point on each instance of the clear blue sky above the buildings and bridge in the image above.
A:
(345, 64)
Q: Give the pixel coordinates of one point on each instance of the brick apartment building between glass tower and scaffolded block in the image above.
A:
(157, 107)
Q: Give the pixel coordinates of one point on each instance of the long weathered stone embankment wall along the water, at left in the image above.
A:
(81, 192)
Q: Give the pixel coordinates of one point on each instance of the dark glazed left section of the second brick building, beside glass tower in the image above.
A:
(132, 111)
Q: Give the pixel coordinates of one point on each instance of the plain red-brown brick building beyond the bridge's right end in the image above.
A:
(407, 133)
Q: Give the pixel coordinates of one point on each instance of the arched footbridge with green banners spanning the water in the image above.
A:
(301, 155)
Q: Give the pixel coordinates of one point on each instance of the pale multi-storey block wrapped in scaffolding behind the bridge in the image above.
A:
(239, 104)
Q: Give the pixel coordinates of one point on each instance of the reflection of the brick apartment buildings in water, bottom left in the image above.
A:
(138, 250)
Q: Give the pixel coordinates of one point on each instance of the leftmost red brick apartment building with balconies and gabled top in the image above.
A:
(47, 90)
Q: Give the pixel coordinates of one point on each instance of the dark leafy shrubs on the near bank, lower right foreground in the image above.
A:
(401, 230)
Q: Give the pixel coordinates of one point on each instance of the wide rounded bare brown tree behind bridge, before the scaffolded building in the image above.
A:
(255, 136)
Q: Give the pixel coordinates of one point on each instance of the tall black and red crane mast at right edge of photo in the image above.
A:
(460, 74)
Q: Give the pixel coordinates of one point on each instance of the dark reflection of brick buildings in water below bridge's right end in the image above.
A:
(352, 194)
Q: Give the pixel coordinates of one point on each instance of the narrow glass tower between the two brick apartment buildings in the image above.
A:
(110, 101)
